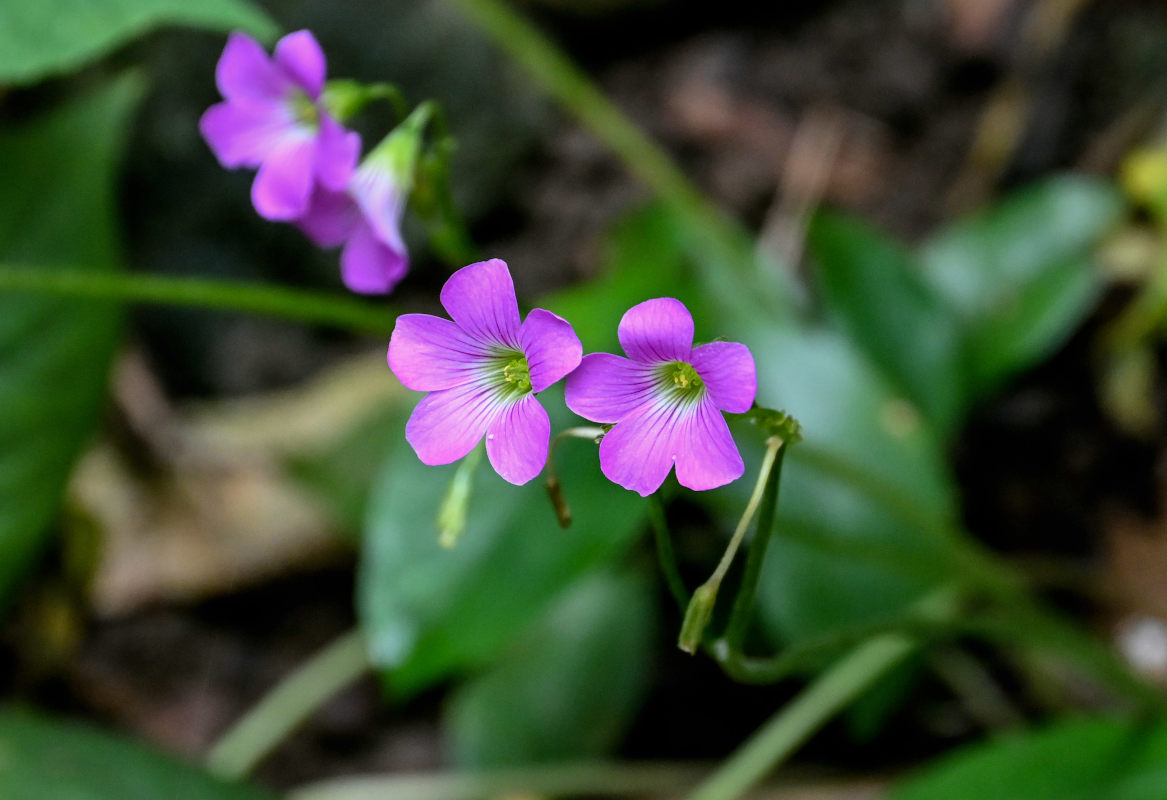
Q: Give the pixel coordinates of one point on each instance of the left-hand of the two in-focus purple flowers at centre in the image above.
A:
(483, 371)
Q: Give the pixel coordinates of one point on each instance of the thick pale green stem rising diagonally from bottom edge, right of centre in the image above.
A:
(829, 694)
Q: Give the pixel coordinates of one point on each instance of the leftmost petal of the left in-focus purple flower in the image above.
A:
(429, 353)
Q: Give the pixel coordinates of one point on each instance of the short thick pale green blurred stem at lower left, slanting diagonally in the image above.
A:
(289, 705)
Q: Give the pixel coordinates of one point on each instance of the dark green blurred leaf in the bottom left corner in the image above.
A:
(48, 760)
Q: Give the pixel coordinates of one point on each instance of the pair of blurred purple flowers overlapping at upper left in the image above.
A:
(275, 118)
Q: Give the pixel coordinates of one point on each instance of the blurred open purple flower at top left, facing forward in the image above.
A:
(272, 118)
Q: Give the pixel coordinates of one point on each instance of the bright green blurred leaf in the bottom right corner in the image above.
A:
(1085, 760)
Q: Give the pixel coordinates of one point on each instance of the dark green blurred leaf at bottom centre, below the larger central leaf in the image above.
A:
(569, 689)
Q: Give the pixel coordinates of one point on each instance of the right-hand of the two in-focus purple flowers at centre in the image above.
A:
(667, 401)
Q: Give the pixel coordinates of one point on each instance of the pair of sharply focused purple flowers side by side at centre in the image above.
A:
(484, 368)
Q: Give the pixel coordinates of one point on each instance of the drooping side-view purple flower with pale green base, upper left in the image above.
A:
(367, 216)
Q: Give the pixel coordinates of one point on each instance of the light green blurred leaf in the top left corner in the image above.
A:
(46, 38)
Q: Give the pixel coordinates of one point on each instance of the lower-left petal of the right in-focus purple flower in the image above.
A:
(639, 453)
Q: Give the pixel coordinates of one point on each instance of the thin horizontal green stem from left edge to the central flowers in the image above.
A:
(262, 299)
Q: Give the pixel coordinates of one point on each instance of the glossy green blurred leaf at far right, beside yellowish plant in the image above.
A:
(1019, 275)
